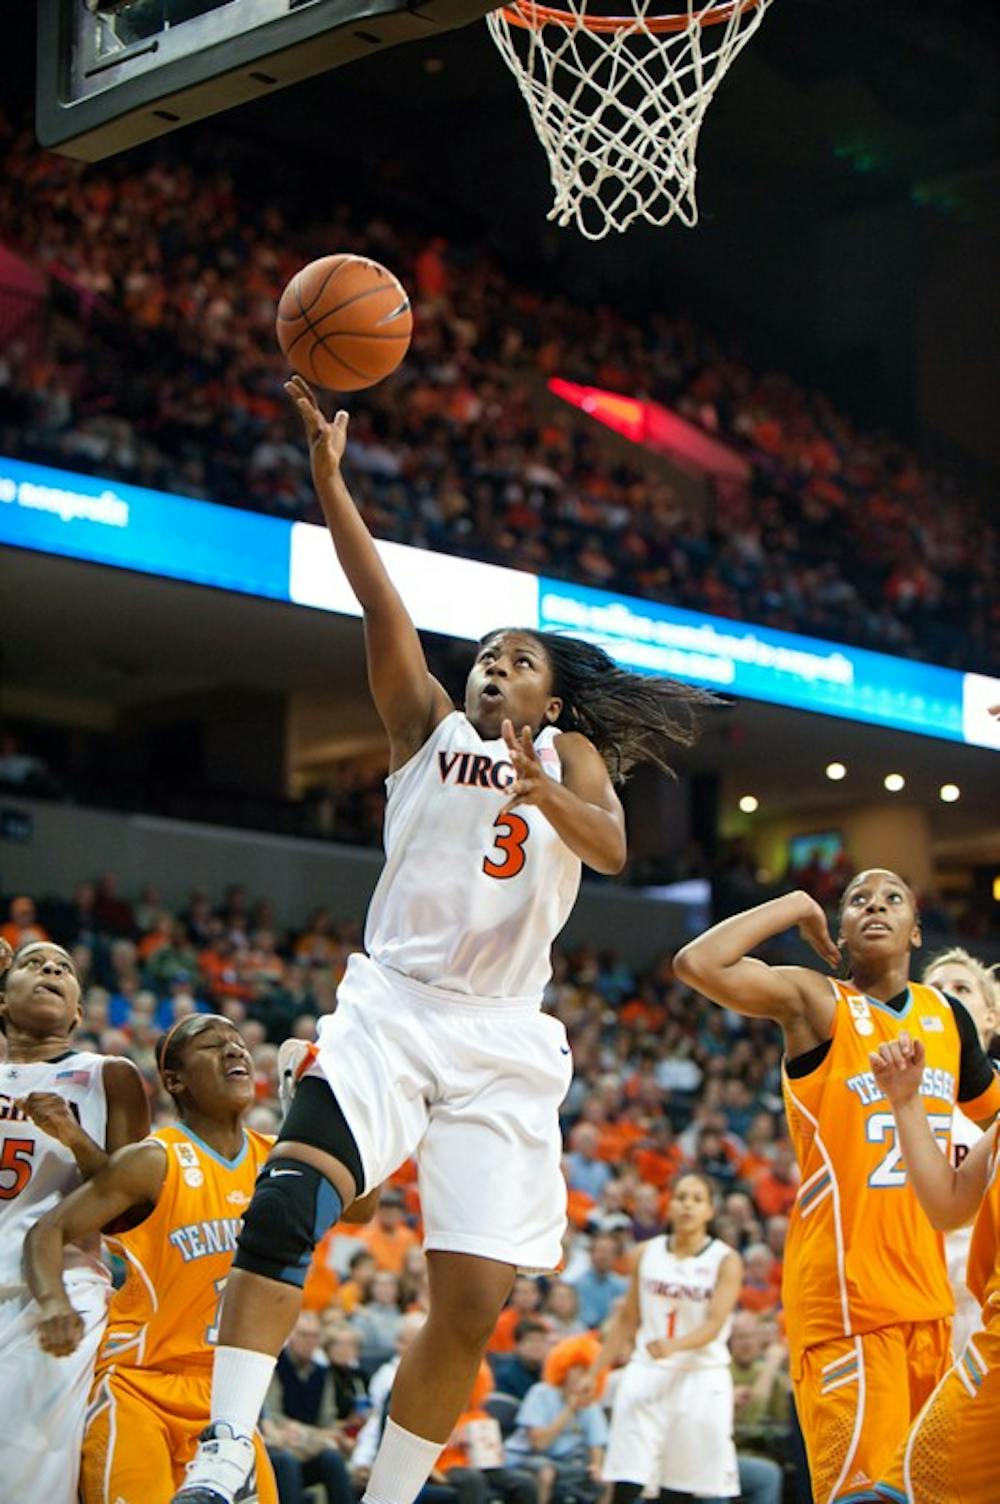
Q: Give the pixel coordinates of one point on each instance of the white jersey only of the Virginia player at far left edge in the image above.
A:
(35, 1169)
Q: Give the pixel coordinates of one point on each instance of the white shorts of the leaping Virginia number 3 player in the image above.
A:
(471, 1088)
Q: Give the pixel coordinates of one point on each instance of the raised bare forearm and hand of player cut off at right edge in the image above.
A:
(951, 1198)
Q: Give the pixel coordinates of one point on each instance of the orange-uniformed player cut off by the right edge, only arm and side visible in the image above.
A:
(953, 1454)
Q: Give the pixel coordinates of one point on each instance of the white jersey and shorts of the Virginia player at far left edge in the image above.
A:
(43, 1399)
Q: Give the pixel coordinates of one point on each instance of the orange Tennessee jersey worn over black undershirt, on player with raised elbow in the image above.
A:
(861, 1254)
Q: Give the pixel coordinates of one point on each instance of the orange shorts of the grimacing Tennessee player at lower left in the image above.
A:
(142, 1430)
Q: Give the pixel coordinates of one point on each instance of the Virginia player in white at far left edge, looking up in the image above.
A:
(62, 1112)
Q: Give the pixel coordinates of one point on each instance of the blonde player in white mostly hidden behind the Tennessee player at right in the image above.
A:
(962, 975)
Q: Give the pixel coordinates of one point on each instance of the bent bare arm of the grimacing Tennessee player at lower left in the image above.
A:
(133, 1177)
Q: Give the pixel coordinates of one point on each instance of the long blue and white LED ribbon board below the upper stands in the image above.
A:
(177, 538)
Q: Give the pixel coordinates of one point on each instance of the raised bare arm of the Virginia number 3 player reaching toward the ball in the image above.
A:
(408, 700)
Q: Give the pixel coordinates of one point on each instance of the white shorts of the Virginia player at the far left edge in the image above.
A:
(43, 1399)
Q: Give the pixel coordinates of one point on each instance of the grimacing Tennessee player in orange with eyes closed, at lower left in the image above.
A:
(181, 1193)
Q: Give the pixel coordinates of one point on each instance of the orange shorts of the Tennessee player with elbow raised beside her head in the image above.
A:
(856, 1399)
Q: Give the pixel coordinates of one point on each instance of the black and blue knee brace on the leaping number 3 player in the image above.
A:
(292, 1207)
